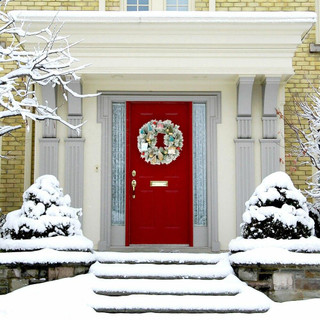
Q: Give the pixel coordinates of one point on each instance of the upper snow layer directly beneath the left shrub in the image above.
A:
(75, 243)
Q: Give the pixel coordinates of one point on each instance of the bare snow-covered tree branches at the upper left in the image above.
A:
(50, 63)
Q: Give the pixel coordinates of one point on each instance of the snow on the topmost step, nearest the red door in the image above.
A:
(159, 257)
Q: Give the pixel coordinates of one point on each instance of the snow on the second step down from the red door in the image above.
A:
(217, 271)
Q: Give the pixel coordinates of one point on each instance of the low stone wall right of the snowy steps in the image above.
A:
(282, 282)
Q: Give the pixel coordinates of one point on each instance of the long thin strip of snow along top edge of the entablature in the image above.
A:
(163, 16)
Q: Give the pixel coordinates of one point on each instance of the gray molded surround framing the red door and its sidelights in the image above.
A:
(114, 236)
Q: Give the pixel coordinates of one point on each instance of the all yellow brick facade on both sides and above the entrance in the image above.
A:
(306, 67)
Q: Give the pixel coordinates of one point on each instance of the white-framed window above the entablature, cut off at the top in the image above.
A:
(157, 5)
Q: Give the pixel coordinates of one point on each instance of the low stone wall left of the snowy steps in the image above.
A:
(15, 276)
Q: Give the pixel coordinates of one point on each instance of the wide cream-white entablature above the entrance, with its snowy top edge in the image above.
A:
(219, 43)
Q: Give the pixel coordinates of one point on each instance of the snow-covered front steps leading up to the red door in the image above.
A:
(171, 283)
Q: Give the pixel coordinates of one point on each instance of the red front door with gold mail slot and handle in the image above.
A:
(159, 210)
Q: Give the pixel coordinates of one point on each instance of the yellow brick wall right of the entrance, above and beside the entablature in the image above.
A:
(306, 66)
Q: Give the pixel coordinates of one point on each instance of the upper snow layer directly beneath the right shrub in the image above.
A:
(311, 244)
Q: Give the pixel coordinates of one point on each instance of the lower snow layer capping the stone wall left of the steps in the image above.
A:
(46, 256)
